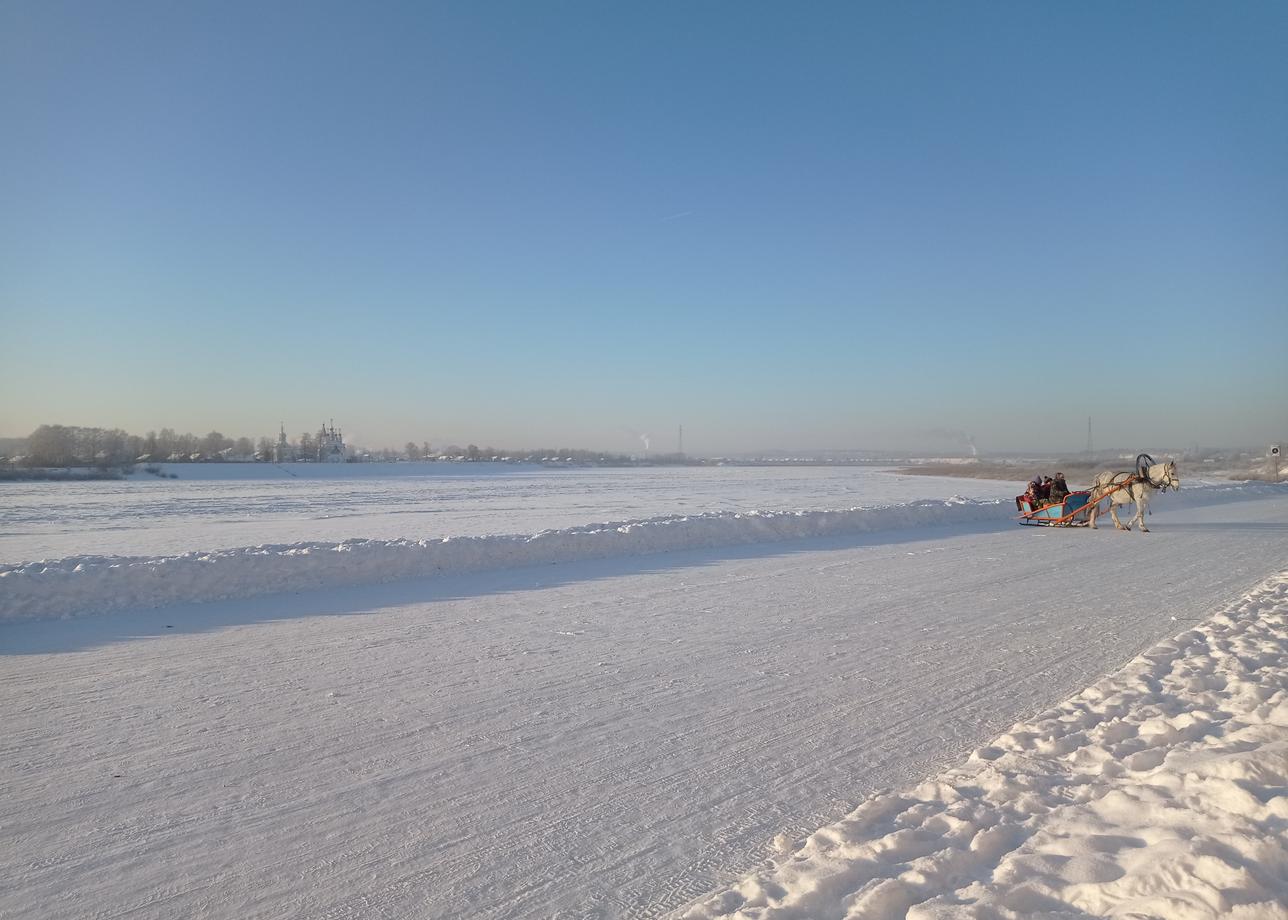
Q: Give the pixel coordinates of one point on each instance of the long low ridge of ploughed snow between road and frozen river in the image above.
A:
(93, 584)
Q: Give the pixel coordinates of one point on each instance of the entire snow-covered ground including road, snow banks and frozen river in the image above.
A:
(677, 714)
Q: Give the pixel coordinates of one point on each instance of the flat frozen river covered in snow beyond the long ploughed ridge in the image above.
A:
(216, 507)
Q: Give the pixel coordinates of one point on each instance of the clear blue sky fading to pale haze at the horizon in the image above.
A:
(780, 225)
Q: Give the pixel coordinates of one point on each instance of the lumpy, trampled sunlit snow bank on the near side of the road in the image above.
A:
(1161, 792)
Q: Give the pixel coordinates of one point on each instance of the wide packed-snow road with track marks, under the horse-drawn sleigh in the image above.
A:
(598, 739)
